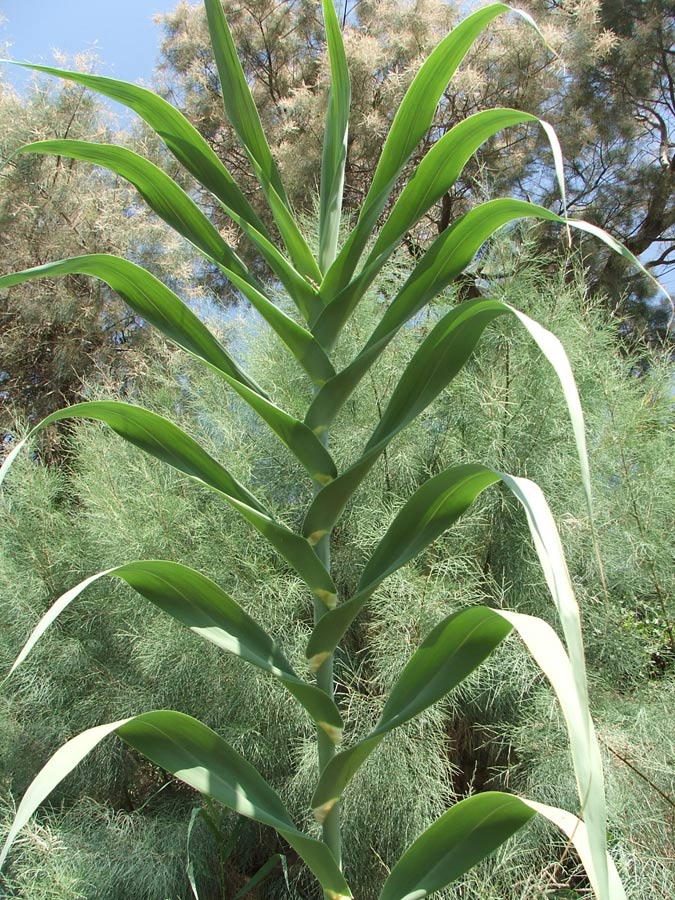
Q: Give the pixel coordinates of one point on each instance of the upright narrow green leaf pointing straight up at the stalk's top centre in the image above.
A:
(334, 141)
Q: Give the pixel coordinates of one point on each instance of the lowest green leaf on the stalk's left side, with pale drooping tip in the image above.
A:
(200, 758)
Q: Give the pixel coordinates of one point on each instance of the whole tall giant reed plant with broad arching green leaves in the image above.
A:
(325, 292)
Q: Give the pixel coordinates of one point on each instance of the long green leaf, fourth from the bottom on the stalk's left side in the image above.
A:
(152, 300)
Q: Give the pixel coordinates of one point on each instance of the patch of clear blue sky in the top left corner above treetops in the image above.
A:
(121, 32)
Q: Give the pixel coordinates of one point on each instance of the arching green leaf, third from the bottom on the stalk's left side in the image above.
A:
(162, 439)
